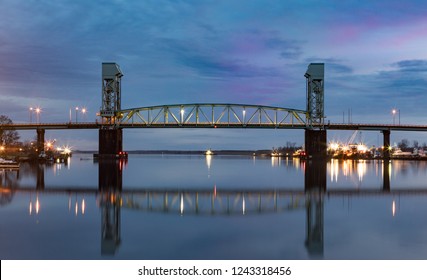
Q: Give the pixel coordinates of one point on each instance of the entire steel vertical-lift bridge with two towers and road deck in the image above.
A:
(211, 115)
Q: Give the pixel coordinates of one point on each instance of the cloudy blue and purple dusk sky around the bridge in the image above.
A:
(219, 51)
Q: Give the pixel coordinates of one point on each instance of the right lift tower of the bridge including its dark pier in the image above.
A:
(315, 134)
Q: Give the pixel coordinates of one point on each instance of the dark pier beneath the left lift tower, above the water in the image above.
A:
(110, 142)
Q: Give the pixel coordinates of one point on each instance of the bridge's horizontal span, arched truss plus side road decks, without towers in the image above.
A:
(213, 115)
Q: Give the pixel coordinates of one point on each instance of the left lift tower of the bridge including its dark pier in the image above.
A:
(110, 137)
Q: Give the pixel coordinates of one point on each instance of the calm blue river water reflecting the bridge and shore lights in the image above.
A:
(219, 207)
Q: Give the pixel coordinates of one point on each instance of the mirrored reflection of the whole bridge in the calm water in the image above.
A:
(112, 198)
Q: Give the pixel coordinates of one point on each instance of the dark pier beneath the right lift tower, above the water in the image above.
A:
(315, 144)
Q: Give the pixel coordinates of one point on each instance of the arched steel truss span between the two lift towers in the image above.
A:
(212, 115)
